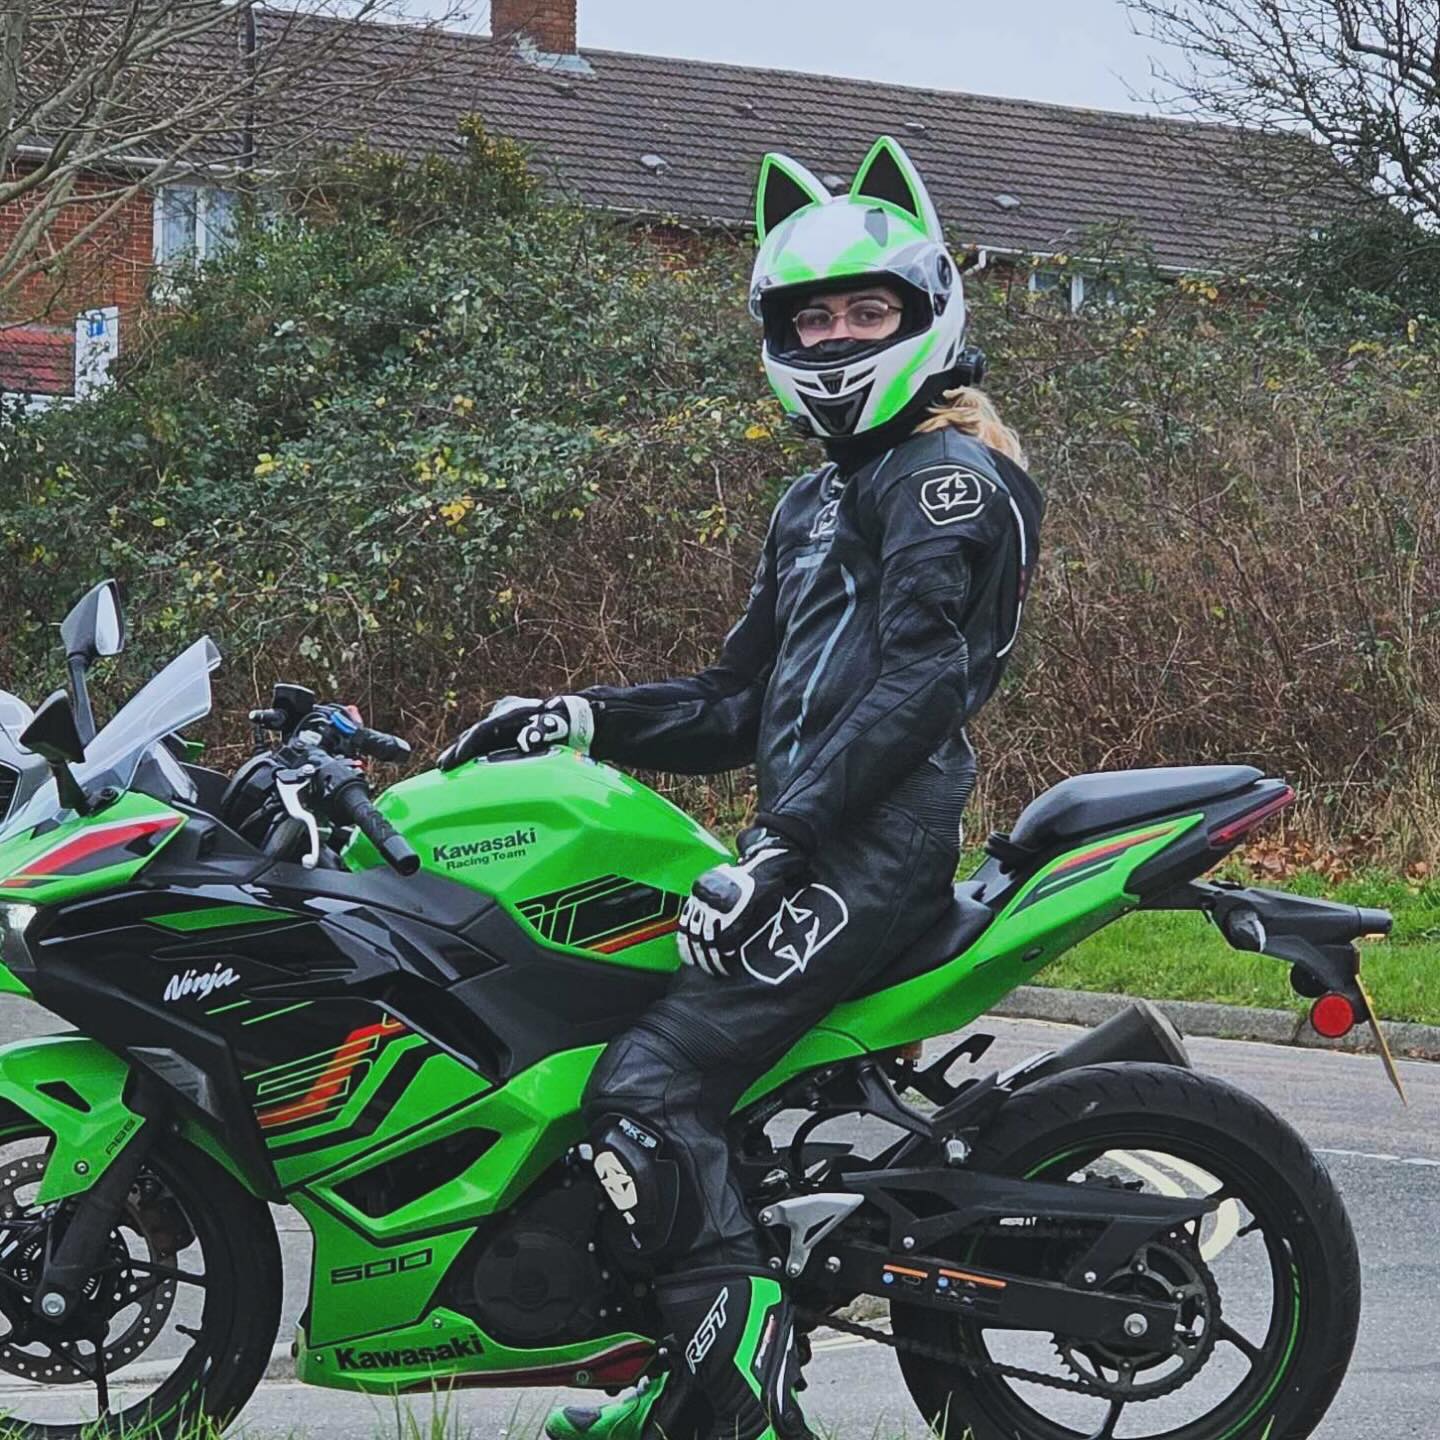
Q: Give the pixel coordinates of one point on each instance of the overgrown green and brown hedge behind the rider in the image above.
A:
(430, 440)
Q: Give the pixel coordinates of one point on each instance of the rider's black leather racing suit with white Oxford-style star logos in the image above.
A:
(885, 607)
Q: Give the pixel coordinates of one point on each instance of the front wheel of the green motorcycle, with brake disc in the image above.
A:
(176, 1324)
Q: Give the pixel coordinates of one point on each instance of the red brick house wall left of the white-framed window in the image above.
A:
(112, 269)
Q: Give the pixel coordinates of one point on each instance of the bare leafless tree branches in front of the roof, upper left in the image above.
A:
(103, 100)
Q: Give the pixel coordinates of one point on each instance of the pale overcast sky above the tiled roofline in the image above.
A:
(1072, 53)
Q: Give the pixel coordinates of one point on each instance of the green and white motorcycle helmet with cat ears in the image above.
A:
(885, 230)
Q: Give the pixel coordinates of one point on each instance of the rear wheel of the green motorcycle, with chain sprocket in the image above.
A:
(1268, 1287)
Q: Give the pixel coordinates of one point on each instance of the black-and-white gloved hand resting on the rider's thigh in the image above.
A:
(734, 902)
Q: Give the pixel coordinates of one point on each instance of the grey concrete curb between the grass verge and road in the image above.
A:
(1202, 1019)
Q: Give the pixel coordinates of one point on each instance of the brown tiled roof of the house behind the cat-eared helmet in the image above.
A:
(1071, 169)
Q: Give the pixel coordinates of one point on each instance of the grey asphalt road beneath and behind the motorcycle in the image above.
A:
(1385, 1158)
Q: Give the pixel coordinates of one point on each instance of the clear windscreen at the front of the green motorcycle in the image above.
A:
(176, 698)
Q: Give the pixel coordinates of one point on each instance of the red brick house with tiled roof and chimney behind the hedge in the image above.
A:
(678, 142)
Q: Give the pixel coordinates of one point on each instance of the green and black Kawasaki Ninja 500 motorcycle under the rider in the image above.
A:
(385, 1014)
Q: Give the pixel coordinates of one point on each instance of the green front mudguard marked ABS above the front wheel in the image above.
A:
(86, 1141)
